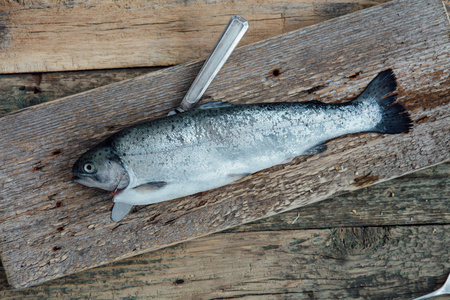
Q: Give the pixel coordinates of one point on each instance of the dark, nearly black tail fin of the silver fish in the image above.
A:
(395, 118)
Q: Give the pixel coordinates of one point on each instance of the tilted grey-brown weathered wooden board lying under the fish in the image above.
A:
(66, 228)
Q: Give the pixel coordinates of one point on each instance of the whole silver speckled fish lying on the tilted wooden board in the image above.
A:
(218, 143)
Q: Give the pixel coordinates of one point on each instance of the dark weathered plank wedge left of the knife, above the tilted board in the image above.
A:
(18, 91)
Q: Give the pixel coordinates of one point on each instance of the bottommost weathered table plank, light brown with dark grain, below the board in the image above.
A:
(348, 263)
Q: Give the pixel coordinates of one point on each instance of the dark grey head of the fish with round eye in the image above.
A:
(101, 168)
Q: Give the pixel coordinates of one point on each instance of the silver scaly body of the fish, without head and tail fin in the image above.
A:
(209, 148)
